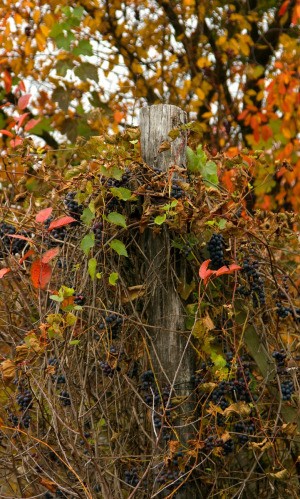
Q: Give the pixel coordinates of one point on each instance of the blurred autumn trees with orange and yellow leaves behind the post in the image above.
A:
(233, 66)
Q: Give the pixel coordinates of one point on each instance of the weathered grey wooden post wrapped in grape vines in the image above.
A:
(171, 353)
